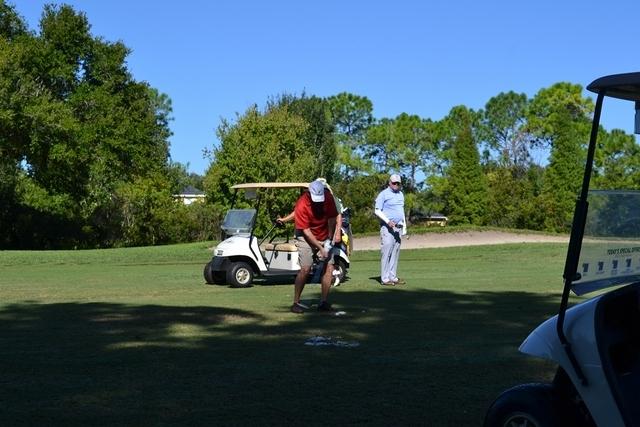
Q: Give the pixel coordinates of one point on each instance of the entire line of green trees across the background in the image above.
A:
(84, 151)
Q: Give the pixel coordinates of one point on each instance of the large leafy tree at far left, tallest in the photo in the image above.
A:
(74, 126)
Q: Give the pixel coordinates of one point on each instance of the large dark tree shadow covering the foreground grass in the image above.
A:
(425, 358)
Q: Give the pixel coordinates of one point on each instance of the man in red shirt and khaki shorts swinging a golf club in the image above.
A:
(315, 217)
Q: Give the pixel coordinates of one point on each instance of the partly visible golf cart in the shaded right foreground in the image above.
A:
(596, 343)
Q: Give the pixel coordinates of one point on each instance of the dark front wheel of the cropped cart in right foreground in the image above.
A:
(526, 405)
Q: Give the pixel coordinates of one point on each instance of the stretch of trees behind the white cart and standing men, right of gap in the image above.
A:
(476, 167)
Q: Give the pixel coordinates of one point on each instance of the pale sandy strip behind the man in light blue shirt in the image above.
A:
(470, 238)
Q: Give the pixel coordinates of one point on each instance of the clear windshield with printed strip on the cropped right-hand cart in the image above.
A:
(610, 253)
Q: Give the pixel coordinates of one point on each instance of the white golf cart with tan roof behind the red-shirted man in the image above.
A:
(242, 256)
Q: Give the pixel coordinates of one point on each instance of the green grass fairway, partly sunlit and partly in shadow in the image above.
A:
(135, 337)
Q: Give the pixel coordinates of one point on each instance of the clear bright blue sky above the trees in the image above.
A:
(216, 58)
